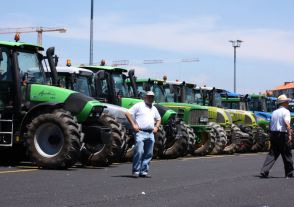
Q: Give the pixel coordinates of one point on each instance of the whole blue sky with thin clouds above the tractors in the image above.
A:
(171, 30)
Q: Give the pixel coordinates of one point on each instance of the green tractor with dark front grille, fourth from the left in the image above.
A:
(202, 137)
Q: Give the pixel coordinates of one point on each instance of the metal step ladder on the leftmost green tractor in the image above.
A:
(6, 137)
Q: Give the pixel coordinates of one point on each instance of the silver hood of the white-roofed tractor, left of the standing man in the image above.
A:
(119, 113)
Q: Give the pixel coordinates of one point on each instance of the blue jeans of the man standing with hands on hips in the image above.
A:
(143, 152)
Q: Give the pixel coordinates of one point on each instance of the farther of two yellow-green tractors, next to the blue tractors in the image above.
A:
(237, 106)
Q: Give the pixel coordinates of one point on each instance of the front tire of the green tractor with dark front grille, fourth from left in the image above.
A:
(208, 139)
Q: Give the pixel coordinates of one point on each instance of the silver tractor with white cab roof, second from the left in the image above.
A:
(82, 81)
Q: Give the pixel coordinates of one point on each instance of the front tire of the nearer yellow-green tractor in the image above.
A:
(221, 139)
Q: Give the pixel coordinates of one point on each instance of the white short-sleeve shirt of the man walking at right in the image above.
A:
(279, 118)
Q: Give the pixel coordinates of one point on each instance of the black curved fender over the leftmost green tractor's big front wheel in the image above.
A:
(35, 110)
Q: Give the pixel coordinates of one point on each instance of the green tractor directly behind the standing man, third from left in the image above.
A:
(111, 84)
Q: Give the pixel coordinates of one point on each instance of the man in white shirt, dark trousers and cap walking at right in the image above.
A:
(280, 135)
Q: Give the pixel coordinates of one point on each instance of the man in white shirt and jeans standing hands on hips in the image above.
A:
(145, 120)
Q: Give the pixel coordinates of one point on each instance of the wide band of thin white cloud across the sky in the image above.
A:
(190, 35)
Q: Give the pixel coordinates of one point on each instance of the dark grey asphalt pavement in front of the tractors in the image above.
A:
(229, 180)
